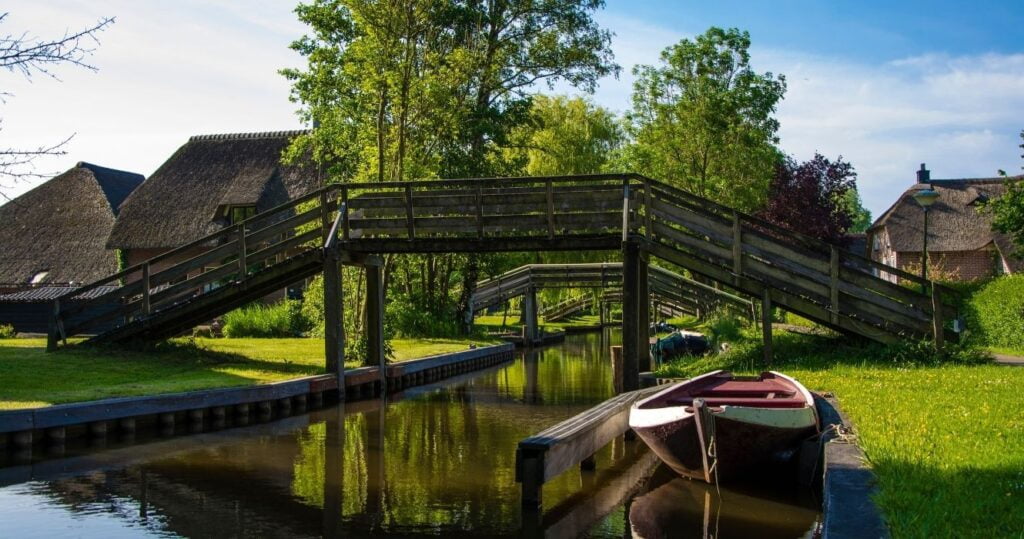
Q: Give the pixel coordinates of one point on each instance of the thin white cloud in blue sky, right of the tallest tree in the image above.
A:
(961, 115)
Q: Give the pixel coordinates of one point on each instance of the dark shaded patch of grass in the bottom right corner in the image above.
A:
(922, 501)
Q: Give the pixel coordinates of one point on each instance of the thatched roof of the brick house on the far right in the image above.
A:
(955, 223)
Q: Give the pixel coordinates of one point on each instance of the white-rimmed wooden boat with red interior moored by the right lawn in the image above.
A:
(718, 426)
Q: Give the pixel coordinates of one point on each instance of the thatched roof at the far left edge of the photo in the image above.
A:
(61, 227)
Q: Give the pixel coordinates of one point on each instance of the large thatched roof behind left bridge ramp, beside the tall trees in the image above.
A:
(186, 199)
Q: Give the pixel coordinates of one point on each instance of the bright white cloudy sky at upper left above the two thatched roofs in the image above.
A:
(167, 71)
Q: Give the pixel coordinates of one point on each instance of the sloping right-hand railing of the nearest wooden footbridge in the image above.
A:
(823, 281)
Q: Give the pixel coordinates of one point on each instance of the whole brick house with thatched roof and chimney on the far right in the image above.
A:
(961, 241)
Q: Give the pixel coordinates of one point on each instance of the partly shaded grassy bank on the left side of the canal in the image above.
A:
(31, 378)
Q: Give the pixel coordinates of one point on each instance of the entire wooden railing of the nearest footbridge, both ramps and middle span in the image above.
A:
(821, 281)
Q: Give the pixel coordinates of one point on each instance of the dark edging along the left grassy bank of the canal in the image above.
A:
(22, 429)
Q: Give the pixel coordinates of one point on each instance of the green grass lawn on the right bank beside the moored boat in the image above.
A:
(947, 442)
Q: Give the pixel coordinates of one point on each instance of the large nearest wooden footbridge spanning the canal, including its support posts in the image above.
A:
(353, 224)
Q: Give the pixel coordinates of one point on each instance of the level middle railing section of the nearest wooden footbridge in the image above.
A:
(509, 212)
